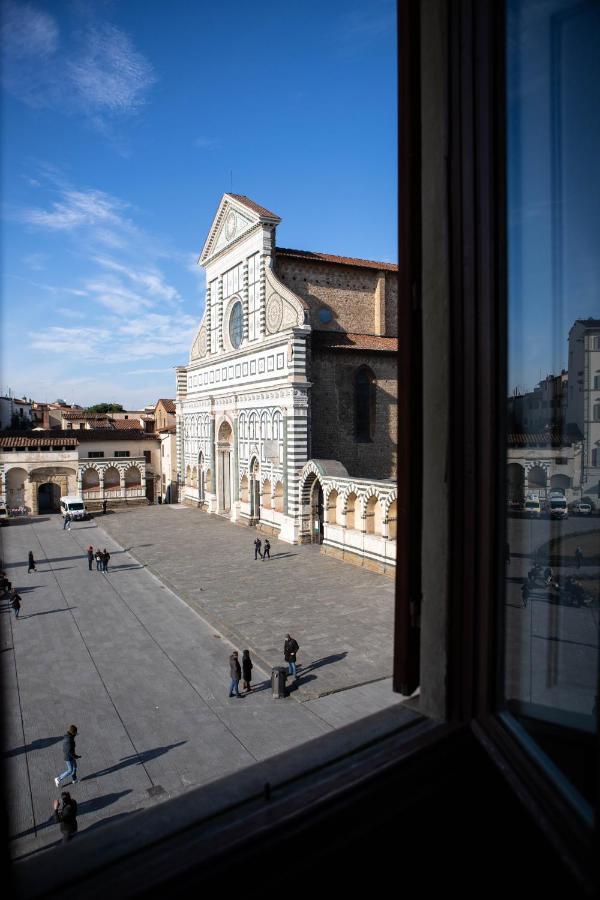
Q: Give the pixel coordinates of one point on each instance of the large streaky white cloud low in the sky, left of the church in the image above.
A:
(132, 309)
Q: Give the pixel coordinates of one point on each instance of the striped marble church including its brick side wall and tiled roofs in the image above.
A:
(286, 410)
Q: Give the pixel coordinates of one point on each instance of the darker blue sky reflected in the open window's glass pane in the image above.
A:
(553, 184)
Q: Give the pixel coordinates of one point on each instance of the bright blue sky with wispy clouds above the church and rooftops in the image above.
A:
(124, 122)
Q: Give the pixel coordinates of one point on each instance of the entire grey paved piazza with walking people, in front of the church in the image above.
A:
(145, 676)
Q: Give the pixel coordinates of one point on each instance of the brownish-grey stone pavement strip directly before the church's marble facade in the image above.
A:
(342, 616)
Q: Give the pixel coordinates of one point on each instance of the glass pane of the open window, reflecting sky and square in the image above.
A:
(553, 549)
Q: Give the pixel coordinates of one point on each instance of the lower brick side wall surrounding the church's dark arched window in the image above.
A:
(332, 411)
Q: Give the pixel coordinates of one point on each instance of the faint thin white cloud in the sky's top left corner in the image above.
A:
(94, 71)
